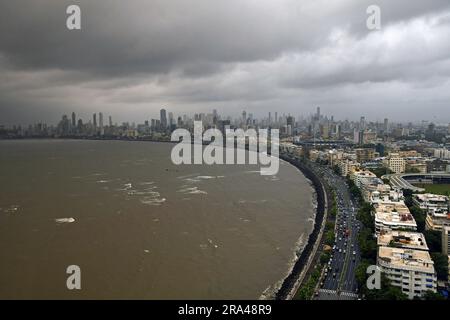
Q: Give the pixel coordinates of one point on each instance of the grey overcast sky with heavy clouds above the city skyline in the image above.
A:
(134, 57)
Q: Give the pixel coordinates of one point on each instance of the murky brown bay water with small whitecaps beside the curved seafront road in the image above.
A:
(140, 227)
